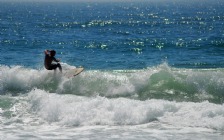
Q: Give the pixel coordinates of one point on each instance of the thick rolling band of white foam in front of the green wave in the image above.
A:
(73, 110)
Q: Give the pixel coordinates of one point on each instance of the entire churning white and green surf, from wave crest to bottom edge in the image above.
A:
(118, 104)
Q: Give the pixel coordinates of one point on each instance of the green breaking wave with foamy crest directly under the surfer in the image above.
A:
(160, 82)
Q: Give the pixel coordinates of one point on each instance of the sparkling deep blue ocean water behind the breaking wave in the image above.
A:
(114, 35)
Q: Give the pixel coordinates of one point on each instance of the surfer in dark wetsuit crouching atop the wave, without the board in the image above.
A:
(49, 58)
